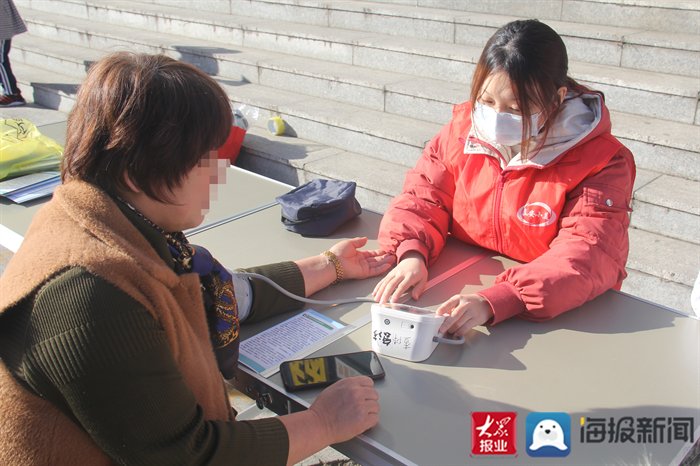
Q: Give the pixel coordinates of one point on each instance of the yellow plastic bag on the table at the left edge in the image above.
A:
(23, 149)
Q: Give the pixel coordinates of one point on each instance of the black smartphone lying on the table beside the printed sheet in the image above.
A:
(319, 372)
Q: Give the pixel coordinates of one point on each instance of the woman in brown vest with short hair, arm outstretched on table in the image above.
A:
(114, 329)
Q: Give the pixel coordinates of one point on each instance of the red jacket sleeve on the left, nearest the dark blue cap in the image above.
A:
(418, 219)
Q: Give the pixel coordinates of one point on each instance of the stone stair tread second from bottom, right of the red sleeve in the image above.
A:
(674, 193)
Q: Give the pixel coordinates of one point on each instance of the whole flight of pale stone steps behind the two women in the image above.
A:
(355, 95)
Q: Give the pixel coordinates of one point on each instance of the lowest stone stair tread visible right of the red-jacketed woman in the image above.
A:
(650, 253)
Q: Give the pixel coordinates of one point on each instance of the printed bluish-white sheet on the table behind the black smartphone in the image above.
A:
(294, 338)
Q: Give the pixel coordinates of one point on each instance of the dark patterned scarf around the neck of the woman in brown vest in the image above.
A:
(217, 290)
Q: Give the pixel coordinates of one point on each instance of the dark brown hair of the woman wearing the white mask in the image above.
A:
(534, 58)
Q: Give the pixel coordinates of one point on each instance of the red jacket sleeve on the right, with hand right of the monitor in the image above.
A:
(586, 258)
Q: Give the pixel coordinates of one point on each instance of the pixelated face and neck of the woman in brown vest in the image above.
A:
(189, 202)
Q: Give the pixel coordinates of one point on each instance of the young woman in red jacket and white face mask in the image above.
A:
(528, 167)
